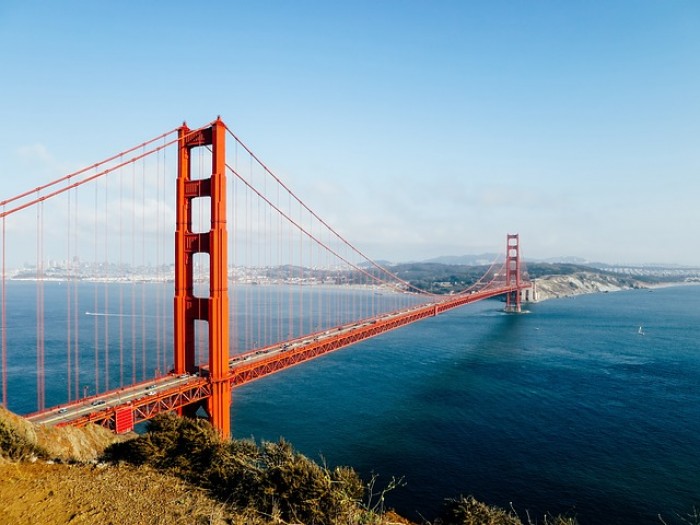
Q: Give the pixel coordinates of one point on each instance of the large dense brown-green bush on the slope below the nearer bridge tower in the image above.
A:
(272, 478)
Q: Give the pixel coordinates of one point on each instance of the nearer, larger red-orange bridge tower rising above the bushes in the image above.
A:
(214, 308)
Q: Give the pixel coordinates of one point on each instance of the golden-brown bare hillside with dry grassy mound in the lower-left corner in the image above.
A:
(52, 476)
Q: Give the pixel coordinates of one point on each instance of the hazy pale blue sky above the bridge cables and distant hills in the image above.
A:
(416, 129)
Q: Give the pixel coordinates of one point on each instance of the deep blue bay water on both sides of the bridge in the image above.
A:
(566, 408)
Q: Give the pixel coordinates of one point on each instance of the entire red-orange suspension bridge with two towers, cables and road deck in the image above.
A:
(90, 269)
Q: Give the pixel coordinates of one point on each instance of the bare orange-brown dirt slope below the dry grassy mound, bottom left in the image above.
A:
(57, 494)
